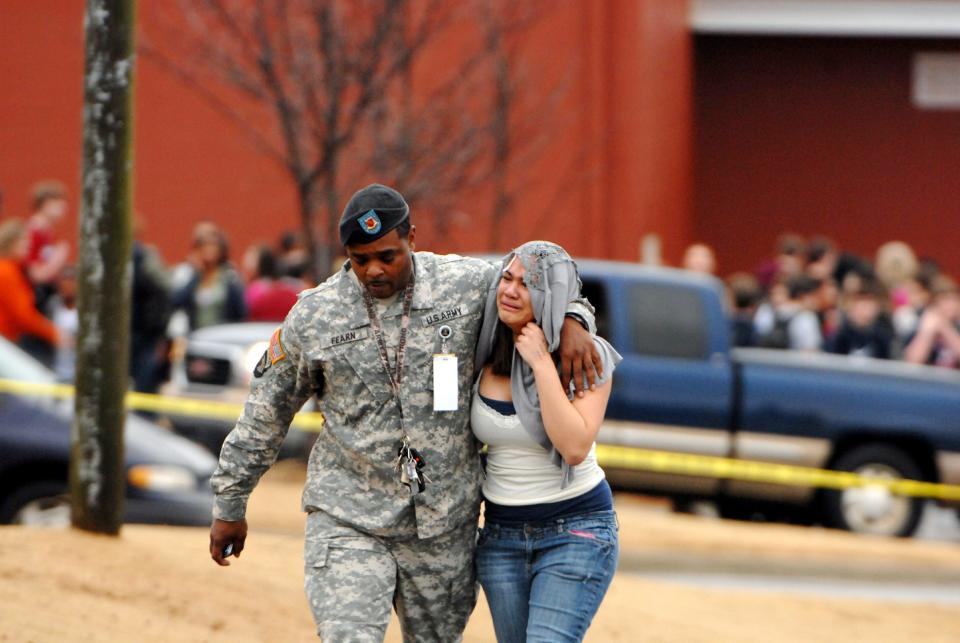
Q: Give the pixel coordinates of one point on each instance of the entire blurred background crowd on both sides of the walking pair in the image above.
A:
(809, 296)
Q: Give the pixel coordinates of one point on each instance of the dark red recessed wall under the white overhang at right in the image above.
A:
(819, 136)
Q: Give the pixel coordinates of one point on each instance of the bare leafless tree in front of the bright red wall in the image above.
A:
(336, 78)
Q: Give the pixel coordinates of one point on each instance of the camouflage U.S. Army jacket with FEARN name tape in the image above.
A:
(326, 347)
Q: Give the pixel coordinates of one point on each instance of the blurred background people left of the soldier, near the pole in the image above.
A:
(39, 308)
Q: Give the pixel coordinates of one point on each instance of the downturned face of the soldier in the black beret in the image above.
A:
(383, 266)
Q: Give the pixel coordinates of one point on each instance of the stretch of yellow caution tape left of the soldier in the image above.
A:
(185, 406)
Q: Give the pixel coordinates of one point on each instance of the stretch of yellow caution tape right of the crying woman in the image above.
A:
(620, 457)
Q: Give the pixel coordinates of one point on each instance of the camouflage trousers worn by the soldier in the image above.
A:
(352, 578)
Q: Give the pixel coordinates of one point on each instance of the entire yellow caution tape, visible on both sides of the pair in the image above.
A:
(608, 455)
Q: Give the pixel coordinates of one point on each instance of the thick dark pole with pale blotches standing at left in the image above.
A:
(97, 477)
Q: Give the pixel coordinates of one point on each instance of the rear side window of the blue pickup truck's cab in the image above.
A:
(667, 321)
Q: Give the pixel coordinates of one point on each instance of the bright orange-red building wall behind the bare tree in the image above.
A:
(615, 165)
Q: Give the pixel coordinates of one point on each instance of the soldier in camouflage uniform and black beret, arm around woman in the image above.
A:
(392, 493)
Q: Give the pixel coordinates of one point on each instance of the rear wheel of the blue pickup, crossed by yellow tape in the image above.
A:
(873, 509)
